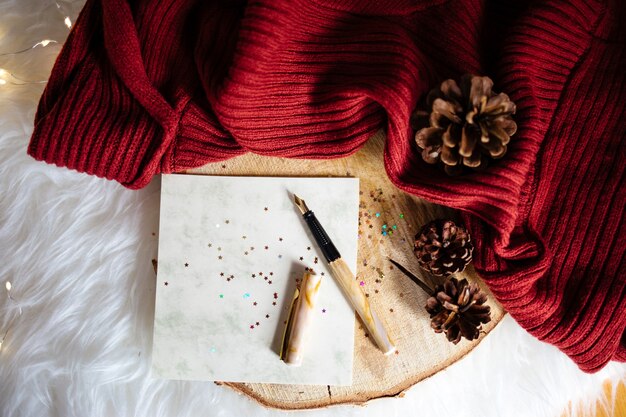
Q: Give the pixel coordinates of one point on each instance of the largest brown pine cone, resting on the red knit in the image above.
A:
(468, 124)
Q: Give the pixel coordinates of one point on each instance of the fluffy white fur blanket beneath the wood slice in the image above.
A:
(77, 251)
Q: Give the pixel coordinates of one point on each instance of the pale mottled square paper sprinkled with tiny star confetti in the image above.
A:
(208, 327)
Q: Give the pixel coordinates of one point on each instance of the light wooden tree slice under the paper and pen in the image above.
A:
(389, 219)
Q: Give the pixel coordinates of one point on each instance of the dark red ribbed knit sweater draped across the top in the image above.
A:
(149, 86)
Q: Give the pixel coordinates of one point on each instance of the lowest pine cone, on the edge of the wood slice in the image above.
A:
(457, 308)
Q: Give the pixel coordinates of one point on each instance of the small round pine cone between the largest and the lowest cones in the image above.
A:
(443, 248)
